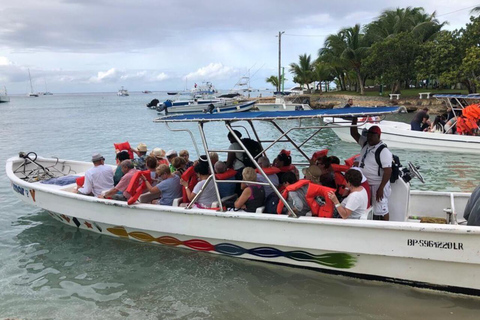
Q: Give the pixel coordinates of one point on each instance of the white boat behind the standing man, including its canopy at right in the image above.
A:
(399, 135)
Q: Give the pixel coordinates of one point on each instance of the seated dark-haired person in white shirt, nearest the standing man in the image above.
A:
(355, 205)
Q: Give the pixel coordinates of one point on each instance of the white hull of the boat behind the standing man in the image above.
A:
(398, 135)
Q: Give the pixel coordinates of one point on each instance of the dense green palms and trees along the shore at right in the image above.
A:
(401, 48)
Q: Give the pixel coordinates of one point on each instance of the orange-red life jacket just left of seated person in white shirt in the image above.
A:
(314, 190)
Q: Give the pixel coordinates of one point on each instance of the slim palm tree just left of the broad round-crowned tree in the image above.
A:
(354, 52)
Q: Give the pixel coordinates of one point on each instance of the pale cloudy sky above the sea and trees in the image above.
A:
(73, 46)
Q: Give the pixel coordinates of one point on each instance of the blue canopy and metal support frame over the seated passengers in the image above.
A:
(271, 117)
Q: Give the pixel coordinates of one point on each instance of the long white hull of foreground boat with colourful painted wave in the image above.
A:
(400, 251)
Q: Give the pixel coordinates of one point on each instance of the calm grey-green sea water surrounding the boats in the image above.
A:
(52, 271)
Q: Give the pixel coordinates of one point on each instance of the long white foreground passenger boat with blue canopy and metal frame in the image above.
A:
(440, 256)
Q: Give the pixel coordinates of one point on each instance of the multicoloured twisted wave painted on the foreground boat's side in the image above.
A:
(334, 260)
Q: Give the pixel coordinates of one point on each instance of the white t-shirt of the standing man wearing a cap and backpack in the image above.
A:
(370, 168)
